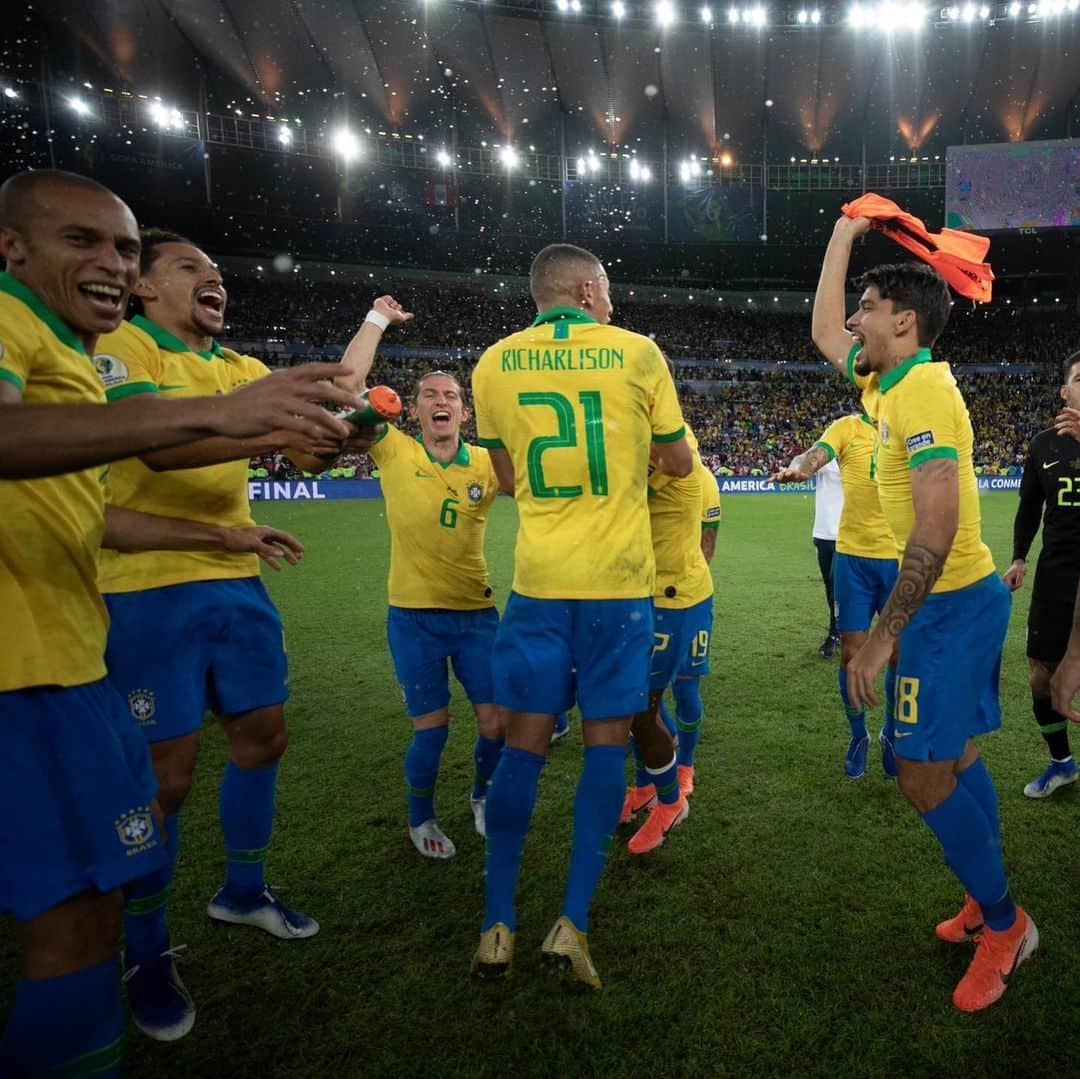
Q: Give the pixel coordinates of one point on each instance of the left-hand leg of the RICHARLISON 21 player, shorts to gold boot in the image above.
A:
(534, 681)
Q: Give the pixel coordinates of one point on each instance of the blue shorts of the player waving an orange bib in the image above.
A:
(949, 671)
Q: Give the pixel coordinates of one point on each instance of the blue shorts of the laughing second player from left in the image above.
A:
(178, 653)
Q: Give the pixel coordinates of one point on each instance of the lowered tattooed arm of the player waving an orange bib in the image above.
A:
(936, 495)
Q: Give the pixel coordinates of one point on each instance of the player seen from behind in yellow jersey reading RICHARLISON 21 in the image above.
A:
(571, 409)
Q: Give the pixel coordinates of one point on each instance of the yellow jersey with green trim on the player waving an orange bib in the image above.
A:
(923, 416)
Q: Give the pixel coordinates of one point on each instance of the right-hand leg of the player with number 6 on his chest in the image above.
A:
(472, 665)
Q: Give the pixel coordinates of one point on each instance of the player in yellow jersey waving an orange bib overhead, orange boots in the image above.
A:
(950, 610)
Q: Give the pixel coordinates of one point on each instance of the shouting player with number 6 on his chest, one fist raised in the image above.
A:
(439, 493)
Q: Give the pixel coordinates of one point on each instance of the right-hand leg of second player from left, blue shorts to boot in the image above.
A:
(249, 686)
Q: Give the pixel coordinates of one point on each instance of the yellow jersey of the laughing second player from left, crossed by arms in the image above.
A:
(142, 358)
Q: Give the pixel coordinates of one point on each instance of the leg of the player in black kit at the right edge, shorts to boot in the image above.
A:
(1049, 625)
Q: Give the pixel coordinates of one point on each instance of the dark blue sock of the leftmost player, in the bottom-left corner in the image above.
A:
(70, 1026)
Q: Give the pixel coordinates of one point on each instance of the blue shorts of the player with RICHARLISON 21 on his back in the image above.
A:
(547, 651)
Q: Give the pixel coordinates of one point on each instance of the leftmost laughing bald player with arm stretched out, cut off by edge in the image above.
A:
(73, 766)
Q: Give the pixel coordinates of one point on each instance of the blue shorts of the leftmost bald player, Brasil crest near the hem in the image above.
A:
(76, 787)
